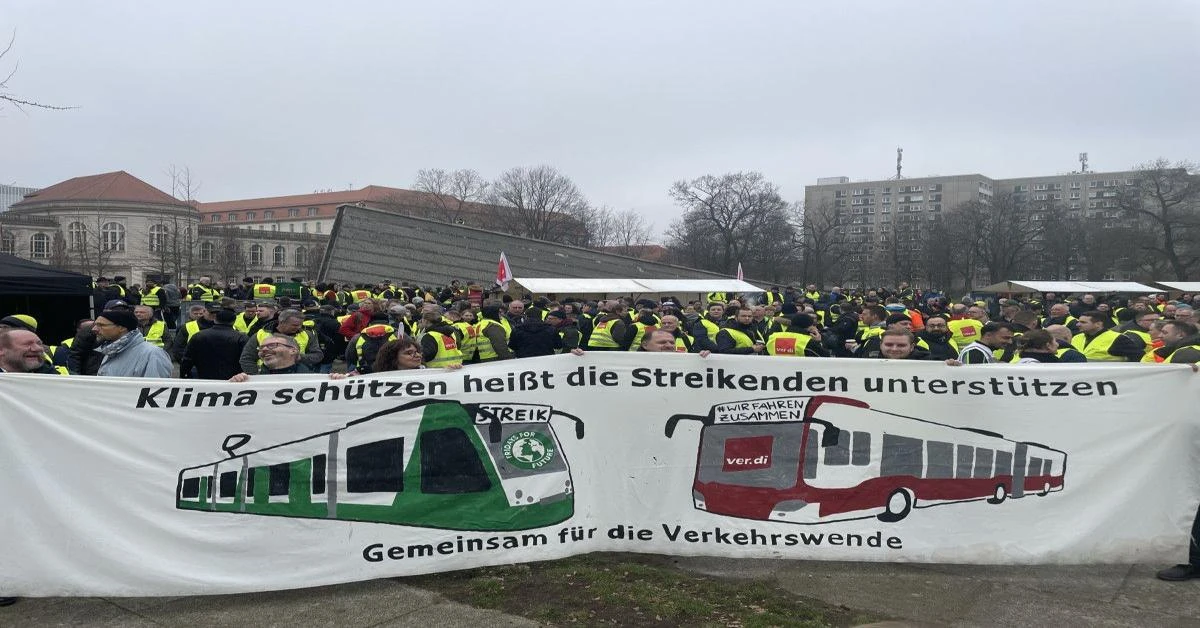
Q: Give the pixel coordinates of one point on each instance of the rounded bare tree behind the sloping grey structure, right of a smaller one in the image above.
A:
(543, 204)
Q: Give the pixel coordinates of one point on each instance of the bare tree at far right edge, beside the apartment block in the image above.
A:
(1167, 199)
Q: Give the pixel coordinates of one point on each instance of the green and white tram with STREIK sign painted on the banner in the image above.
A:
(429, 464)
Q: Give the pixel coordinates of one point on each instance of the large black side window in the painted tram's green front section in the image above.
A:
(451, 464)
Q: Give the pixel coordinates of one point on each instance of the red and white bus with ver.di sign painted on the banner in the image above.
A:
(820, 459)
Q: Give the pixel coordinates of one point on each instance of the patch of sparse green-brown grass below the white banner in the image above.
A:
(633, 590)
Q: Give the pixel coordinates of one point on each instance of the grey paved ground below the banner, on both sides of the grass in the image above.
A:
(1108, 596)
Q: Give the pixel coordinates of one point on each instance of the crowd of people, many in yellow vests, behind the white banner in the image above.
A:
(254, 330)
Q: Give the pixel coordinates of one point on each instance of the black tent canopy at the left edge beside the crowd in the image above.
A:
(57, 298)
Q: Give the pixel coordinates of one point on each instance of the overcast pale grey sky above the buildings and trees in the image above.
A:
(267, 99)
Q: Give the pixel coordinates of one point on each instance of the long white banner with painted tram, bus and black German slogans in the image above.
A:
(117, 487)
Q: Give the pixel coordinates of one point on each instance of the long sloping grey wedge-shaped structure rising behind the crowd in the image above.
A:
(369, 244)
